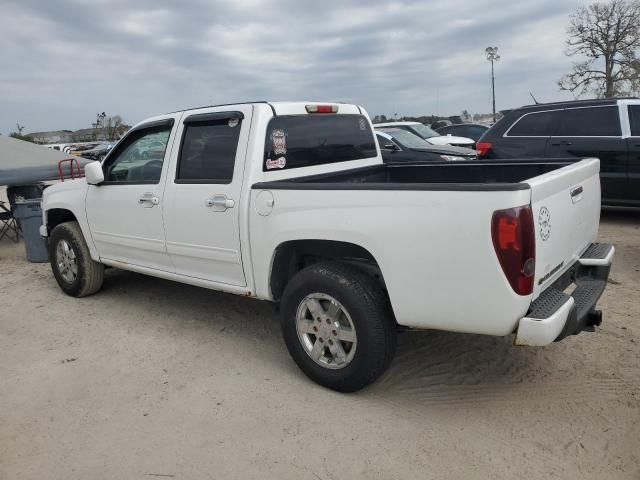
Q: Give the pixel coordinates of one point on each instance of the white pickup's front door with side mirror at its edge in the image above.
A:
(125, 211)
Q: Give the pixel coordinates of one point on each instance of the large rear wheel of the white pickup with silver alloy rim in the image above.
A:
(338, 326)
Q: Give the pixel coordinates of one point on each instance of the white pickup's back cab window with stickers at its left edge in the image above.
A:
(295, 141)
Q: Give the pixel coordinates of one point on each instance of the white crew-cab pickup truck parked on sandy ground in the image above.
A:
(291, 203)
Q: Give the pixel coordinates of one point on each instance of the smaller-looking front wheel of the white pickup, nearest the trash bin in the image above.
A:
(77, 274)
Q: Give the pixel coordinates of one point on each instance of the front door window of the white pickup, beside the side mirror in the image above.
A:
(139, 159)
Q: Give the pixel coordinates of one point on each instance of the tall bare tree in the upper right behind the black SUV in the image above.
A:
(606, 36)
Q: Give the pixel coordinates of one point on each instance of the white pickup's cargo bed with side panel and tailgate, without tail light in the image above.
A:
(429, 228)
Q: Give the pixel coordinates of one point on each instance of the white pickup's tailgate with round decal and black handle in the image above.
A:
(566, 213)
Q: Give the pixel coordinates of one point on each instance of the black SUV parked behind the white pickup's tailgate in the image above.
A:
(608, 129)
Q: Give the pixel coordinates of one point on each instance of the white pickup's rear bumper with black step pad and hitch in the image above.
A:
(555, 313)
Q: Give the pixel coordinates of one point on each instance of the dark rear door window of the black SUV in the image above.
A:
(589, 122)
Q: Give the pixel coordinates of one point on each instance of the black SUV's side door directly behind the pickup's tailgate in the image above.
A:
(594, 131)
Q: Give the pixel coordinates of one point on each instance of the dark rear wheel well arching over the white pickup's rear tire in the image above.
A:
(293, 256)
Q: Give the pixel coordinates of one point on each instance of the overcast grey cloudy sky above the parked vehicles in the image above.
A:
(62, 61)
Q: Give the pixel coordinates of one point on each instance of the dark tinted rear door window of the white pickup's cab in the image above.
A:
(208, 149)
